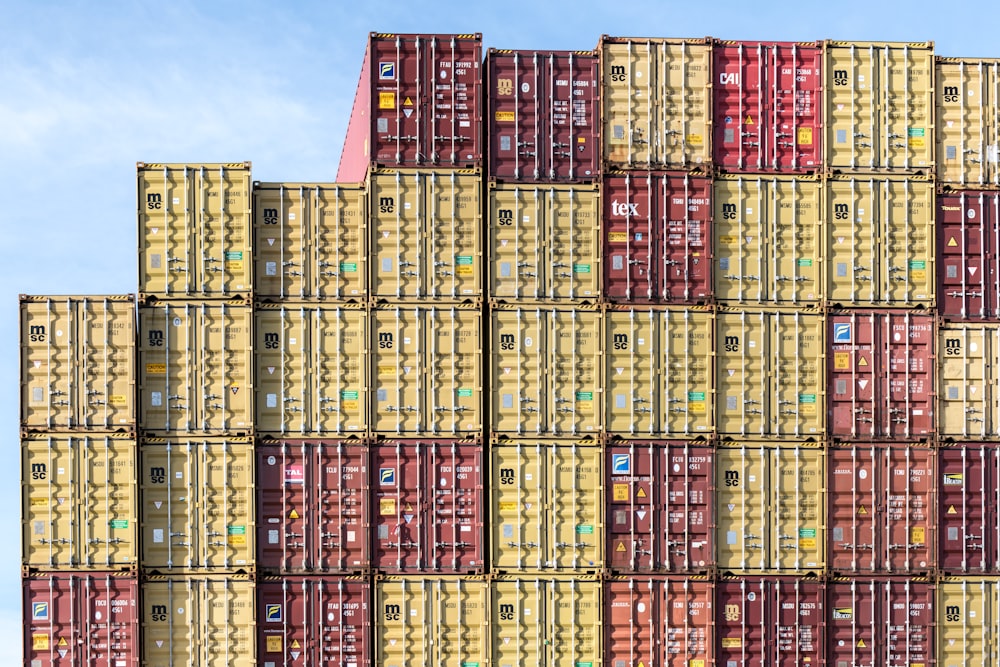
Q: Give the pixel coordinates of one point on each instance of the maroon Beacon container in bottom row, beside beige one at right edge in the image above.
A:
(887, 622)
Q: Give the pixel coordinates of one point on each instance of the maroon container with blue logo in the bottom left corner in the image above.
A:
(81, 620)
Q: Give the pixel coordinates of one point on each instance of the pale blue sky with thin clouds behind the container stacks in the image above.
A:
(89, 88)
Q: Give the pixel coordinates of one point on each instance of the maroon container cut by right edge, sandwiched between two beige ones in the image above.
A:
(968, 236)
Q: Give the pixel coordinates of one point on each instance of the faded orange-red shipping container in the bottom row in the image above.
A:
(659, 622)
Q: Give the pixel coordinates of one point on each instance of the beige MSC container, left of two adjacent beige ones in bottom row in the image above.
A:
(431, 621)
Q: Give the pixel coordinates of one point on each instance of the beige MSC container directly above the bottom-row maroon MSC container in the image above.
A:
(771, 508)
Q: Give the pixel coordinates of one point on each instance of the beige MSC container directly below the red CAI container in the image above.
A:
(768, 240)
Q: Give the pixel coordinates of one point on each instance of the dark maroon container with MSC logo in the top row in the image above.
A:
(543, 115)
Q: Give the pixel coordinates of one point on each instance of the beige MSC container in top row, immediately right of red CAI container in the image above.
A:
(879, 106)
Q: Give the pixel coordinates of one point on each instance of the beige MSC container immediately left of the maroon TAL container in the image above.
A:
(197, 510)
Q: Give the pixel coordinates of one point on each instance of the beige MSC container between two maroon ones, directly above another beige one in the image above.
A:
(546, 504)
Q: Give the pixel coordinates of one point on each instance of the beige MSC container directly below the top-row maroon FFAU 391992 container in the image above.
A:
(427, 234)
